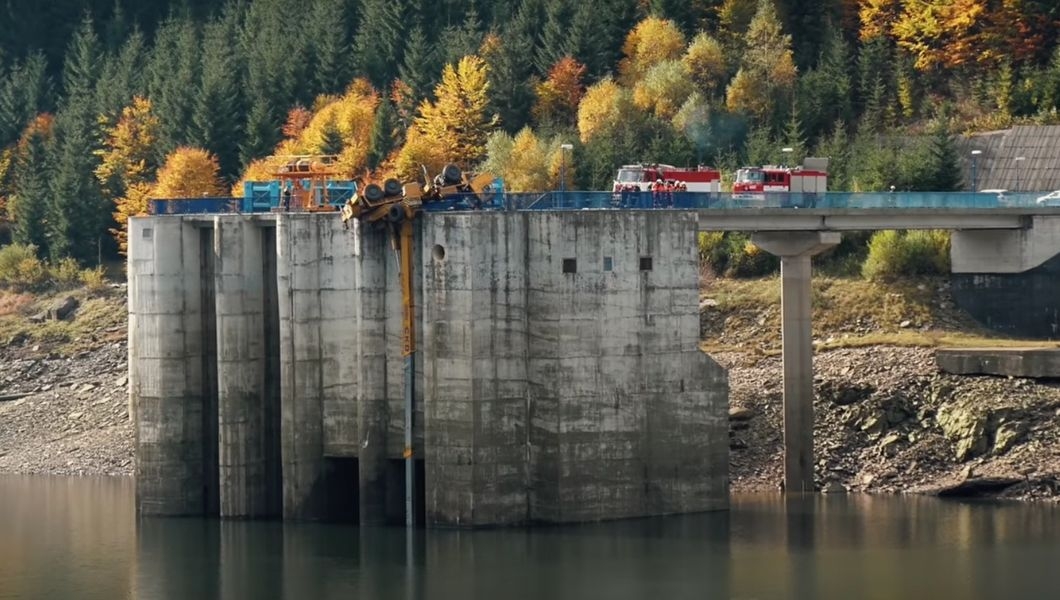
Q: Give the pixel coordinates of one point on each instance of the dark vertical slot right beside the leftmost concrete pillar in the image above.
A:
(211, 474)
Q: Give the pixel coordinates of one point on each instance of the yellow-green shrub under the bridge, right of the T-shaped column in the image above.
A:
(893, 255)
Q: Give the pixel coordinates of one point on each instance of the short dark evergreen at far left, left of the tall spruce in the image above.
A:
(31, 182)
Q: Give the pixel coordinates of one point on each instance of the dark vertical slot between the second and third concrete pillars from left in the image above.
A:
(274, 474)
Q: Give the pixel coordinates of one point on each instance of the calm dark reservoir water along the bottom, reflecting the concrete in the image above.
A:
(77, 538)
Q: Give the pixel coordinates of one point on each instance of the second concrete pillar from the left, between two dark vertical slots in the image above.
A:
(243, 427)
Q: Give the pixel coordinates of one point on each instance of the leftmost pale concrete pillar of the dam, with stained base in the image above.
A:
(167, 386)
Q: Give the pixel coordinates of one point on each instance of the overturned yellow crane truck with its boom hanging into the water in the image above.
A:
(396, 206)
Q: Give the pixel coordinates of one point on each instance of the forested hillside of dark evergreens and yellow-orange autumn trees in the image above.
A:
(107, 103)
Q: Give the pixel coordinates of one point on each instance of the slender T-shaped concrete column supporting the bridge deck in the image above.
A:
(796, 251)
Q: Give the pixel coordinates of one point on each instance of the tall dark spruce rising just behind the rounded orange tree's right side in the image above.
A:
(218, 113)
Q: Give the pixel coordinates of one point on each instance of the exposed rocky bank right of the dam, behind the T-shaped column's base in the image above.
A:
(888, 421)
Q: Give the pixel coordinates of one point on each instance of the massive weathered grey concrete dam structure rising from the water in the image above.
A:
(559, 378)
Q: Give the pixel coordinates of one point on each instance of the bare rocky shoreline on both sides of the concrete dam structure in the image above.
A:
(887, 421)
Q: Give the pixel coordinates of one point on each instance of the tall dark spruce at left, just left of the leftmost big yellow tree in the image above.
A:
(77, 218)
